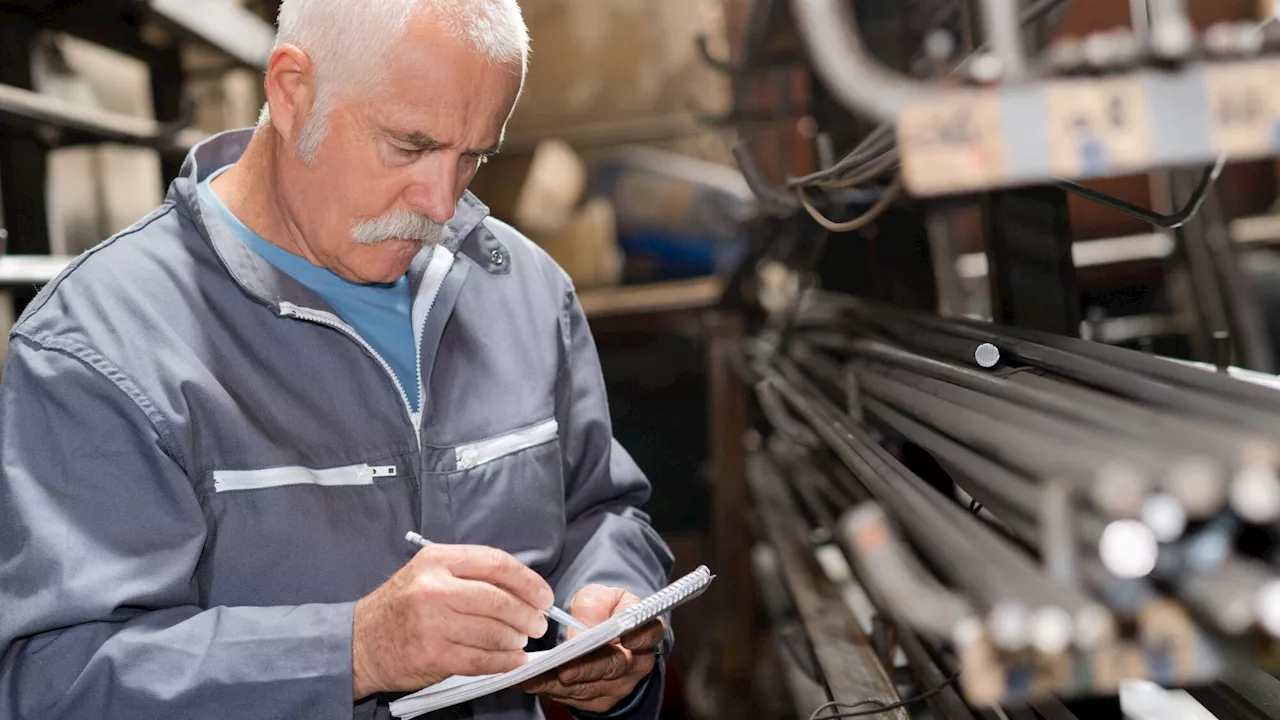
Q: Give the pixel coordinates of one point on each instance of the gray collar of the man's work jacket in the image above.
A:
(250, 270)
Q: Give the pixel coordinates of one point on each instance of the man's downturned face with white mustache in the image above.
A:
(392, 167)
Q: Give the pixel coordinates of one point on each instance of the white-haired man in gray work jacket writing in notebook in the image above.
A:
(217, 427)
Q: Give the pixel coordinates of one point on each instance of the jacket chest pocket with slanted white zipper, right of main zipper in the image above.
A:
(508, 493)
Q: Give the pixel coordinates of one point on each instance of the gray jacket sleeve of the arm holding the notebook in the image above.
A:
(609, 540)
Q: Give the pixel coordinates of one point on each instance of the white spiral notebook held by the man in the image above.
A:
(463, 689)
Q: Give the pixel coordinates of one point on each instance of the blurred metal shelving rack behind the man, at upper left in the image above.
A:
(152, 31)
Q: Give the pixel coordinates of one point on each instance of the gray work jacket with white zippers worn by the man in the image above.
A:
(203, 467)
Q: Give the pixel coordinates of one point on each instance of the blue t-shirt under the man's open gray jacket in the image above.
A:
(381, 313)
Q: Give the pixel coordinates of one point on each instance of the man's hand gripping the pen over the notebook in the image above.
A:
(454, 610)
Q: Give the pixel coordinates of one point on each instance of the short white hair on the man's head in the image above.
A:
(349, 40)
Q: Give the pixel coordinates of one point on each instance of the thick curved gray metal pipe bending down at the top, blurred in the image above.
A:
(849, 72)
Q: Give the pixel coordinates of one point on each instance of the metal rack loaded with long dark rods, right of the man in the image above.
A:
(1026, 591)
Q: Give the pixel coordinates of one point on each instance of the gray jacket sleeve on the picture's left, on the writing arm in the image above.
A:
(100, 537)
